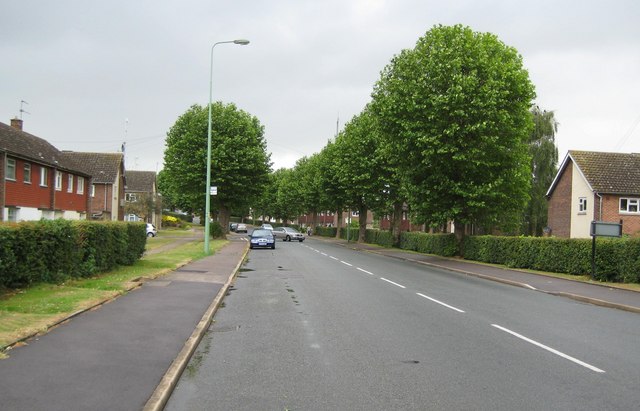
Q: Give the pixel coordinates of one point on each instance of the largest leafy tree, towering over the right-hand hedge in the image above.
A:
(456, 110)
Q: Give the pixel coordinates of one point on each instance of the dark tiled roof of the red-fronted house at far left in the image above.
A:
(29, 147)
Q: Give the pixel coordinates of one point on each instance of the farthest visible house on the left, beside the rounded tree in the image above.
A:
(141, 197)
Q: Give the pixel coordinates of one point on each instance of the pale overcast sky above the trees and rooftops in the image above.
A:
(97, 74)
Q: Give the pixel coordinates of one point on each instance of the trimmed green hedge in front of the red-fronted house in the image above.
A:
(56, 250)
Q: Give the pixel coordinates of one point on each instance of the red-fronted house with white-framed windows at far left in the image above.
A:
(37, 181)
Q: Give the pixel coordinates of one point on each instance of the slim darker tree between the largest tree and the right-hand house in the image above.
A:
(544, 162)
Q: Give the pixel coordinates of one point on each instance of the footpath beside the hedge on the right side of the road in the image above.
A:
(599, 294)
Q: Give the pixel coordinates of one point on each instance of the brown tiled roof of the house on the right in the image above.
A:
(606, 173)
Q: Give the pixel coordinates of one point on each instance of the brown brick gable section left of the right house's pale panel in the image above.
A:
(559, 212)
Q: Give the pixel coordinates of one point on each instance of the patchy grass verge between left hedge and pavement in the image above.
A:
(24, 313)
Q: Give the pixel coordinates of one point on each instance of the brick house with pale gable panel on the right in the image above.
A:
(596, 186)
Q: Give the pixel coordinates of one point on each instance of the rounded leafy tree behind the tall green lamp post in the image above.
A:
(240, 163)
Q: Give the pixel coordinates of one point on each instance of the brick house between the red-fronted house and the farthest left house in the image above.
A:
(107, 188)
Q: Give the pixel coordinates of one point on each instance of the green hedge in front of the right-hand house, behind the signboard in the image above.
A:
(617, 260)
